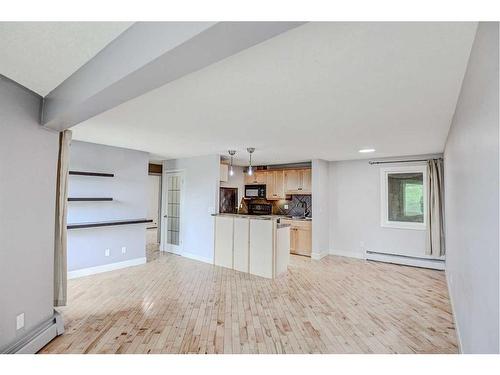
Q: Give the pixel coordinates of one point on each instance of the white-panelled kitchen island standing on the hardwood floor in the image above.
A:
(258, 245)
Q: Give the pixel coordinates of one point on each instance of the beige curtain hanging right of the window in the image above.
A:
(435, 219)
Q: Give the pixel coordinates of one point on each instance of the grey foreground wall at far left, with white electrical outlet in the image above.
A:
(28, 163)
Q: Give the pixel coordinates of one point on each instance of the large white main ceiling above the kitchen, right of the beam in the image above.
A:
(322, 90)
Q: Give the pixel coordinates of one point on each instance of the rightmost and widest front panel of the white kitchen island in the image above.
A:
(261, 248)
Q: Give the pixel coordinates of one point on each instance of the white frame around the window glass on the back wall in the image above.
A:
(384, 203)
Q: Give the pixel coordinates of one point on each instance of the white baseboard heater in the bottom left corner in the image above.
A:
(39, 337)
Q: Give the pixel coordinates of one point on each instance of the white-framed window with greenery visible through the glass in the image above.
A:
(404, 197)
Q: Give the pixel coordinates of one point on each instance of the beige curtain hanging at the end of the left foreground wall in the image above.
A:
(60, 248)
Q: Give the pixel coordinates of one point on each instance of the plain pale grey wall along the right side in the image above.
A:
(471, 194)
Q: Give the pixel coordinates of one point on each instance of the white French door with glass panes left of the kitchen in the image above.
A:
(173, 212)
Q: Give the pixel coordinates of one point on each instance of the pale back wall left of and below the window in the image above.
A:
(355, 214)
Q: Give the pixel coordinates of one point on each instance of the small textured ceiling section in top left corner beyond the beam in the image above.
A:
(41, 55)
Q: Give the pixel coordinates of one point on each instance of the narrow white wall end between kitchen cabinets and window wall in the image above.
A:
(320, 208)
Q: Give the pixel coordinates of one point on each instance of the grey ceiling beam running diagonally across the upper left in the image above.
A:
(146, 56)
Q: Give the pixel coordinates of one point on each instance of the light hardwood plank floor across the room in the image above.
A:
(335, 305)
